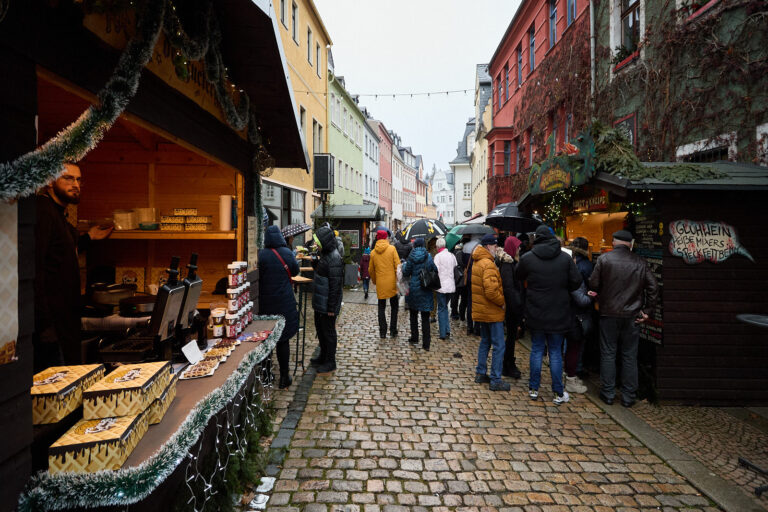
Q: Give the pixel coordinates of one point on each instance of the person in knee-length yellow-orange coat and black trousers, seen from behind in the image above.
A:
(383, 271)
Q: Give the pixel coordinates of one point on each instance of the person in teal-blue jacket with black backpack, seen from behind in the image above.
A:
(419, 299)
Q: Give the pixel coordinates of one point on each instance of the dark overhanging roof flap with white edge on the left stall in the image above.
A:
(254, 52)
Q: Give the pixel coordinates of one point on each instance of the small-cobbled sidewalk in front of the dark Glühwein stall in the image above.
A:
(715, 438)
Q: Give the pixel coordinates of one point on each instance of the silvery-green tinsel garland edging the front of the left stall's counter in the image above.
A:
(131, 485)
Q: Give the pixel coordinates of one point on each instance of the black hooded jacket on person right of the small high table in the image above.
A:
(329, 275)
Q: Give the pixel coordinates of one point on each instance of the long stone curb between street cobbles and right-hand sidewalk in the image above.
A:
(725, 494)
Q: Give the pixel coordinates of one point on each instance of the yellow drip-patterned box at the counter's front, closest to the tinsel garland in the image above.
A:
(93, 445)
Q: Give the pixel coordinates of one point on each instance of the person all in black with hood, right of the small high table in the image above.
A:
(327, 293)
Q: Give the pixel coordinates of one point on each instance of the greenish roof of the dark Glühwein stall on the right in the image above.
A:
(735, 176)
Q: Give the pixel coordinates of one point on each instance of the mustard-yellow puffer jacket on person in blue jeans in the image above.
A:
(487, 292)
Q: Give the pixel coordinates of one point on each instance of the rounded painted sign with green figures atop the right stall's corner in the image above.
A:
(560, 171)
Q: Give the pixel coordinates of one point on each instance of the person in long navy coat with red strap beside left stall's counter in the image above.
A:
(277, 266)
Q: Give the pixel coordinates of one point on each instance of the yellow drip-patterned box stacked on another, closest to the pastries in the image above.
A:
(127, 391)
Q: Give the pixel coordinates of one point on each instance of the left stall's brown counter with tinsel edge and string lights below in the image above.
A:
(208, 418)
